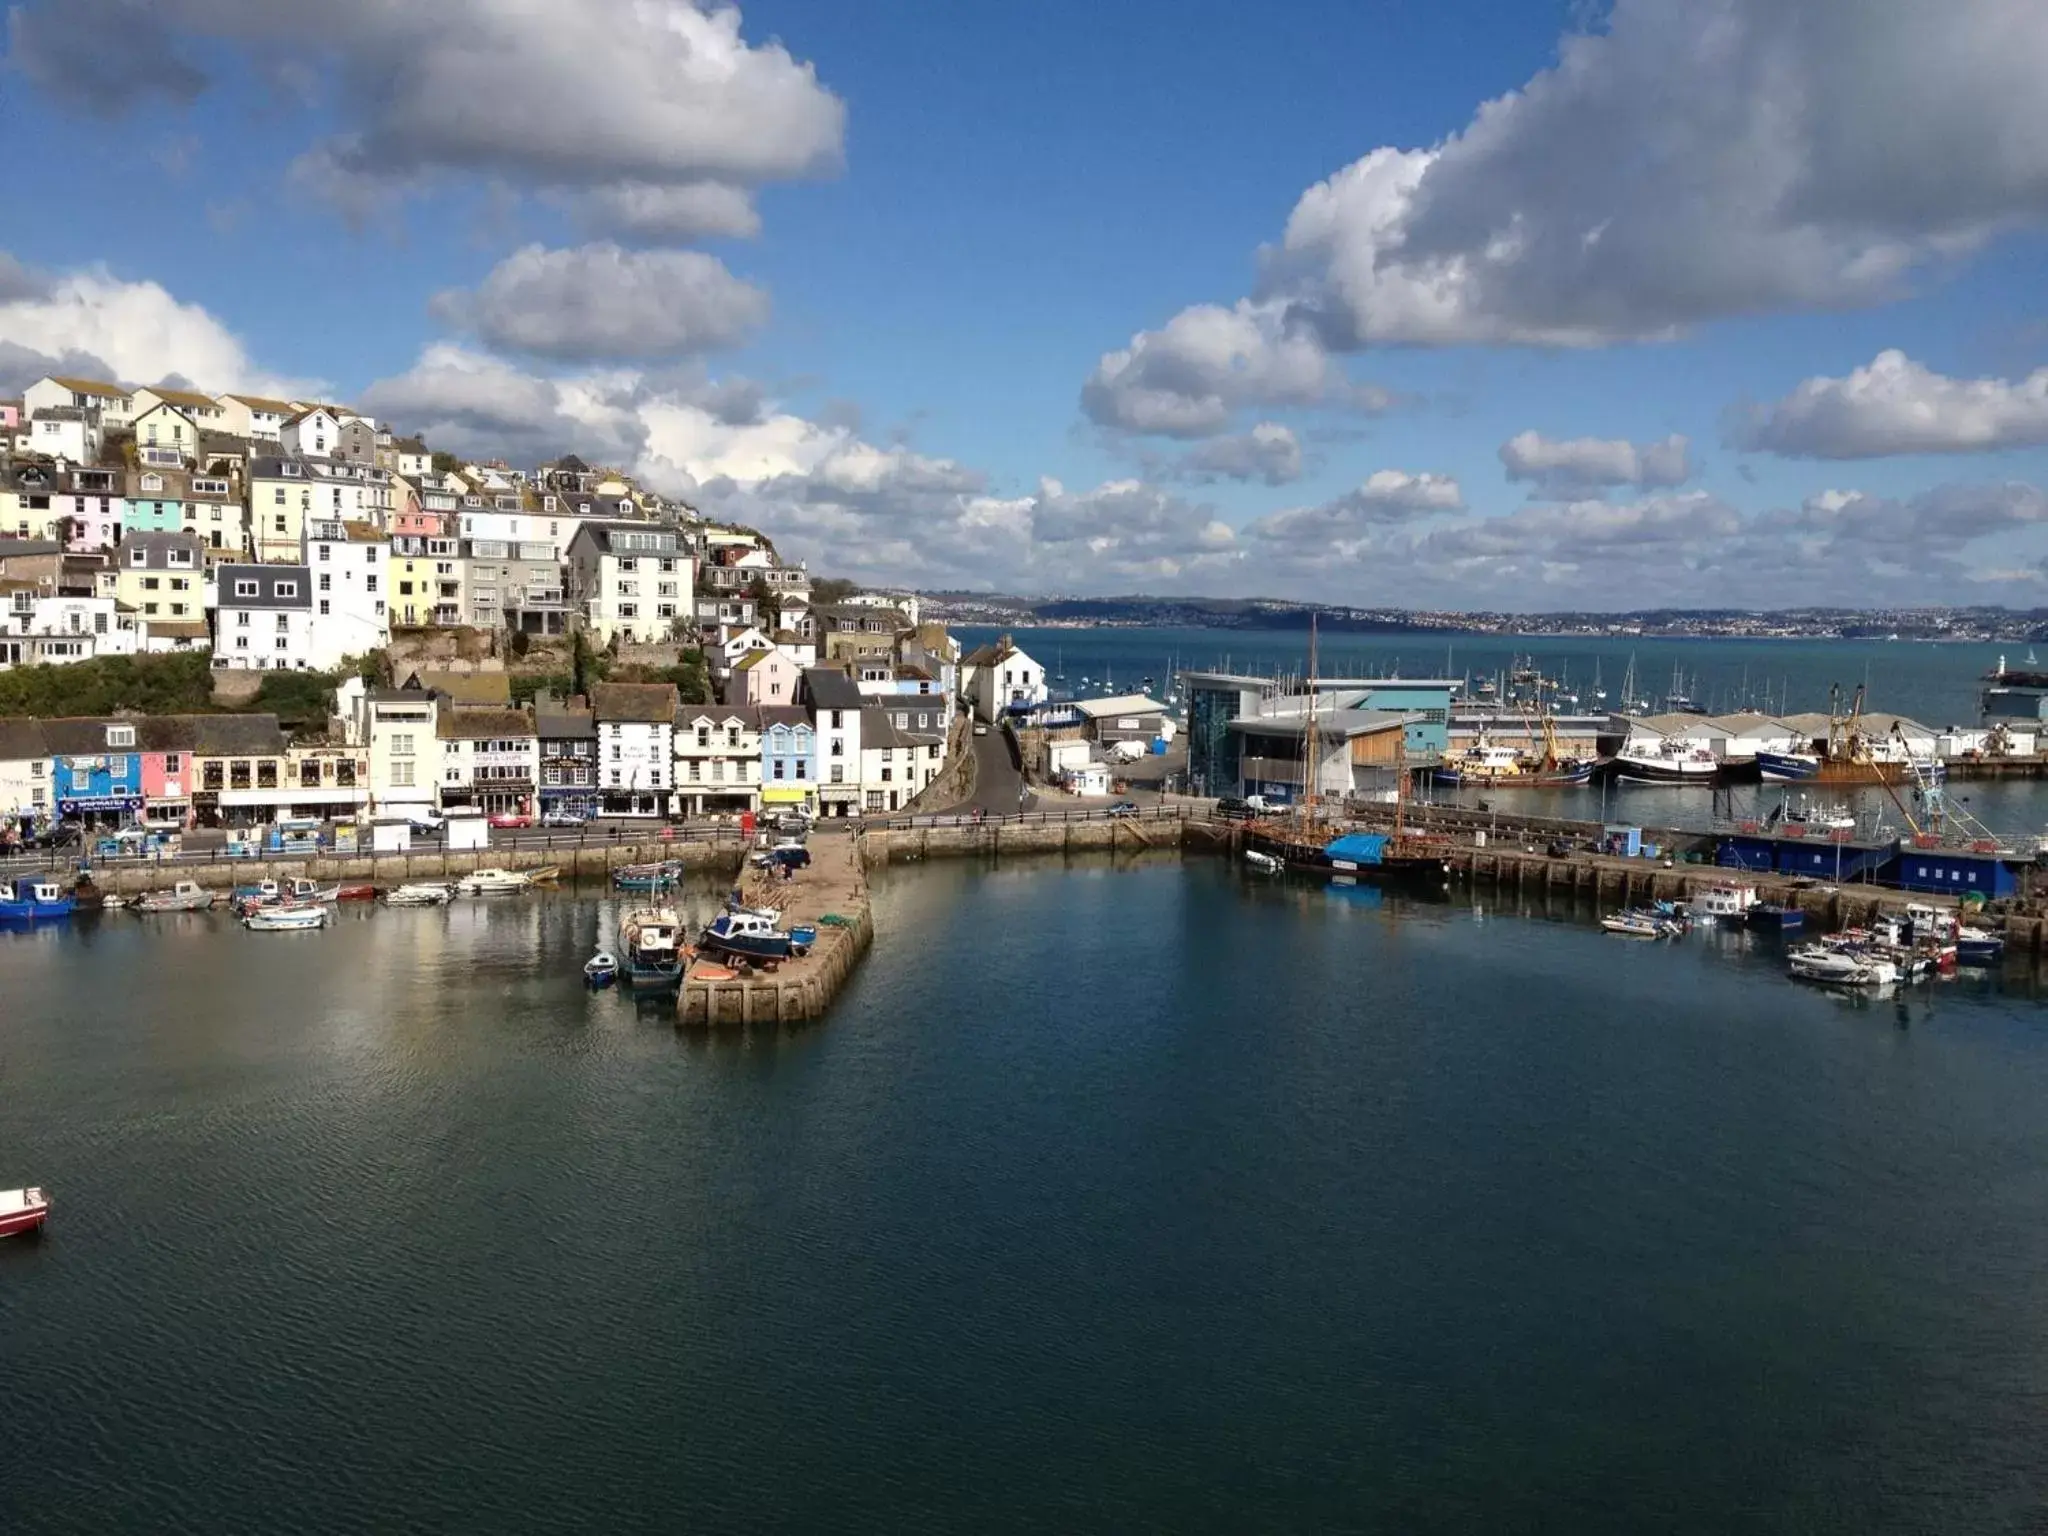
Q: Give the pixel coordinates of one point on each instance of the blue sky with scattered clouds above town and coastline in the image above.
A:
(1449, 304)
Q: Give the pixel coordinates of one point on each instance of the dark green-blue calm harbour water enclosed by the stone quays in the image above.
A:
(1113, 1197)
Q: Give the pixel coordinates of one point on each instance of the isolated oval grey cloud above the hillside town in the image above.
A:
(603, 302)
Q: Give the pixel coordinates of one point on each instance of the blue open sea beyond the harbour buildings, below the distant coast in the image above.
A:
(1932, 683)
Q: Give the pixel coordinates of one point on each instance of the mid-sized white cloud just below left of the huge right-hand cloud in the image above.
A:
(1193, 376)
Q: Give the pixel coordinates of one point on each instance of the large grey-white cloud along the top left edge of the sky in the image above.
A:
(572, 95)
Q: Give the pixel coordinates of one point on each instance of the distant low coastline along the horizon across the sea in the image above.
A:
(1953, 626)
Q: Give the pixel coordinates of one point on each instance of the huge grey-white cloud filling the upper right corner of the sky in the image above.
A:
(1682, 165)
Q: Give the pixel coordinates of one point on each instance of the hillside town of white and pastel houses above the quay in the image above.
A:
(302, 538)
